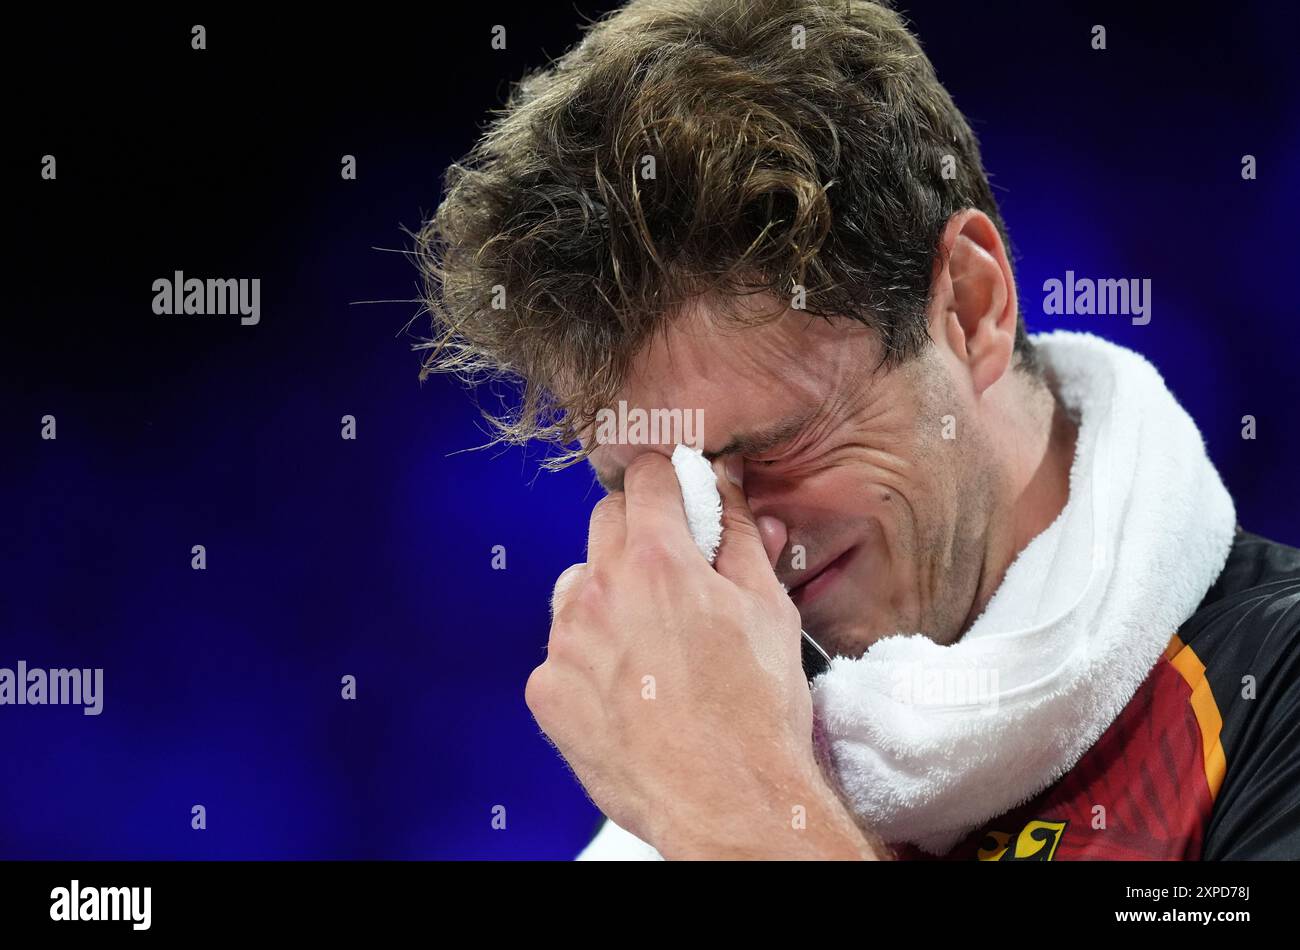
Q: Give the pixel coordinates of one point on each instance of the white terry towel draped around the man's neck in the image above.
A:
(1081, 618)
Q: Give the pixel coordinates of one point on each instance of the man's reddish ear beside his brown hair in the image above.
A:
(976, 294)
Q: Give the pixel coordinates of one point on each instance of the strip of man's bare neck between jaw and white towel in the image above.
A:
(1039, 446)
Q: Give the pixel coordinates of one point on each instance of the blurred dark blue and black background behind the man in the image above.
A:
(374, 557)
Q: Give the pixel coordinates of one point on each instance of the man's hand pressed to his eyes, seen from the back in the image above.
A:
(675, 692)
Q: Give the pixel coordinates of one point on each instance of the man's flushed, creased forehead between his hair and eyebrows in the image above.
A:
(734, 381)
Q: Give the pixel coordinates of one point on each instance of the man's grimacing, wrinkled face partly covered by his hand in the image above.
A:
(877, 507)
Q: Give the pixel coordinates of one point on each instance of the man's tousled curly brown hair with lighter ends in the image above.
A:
(790, 145)
